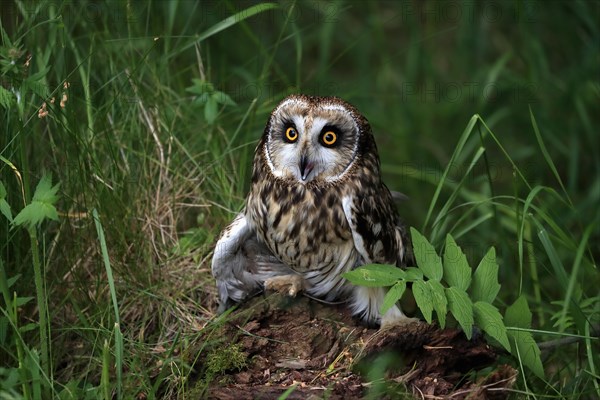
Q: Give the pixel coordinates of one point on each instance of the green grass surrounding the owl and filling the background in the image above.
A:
(487, 119)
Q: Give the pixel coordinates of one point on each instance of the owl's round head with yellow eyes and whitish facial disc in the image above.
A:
(314, 138)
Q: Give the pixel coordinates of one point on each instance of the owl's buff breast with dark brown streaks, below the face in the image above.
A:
(303, 225)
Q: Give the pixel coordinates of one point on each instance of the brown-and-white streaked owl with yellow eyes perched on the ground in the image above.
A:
(317, 208)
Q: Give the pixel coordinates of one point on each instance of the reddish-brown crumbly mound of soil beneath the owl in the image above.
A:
(321, 351)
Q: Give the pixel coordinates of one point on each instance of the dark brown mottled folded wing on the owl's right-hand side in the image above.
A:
(378, 233)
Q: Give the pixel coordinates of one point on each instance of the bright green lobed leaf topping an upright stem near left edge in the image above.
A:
(41, 206)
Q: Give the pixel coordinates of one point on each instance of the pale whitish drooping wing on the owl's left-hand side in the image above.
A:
(241, 263)
